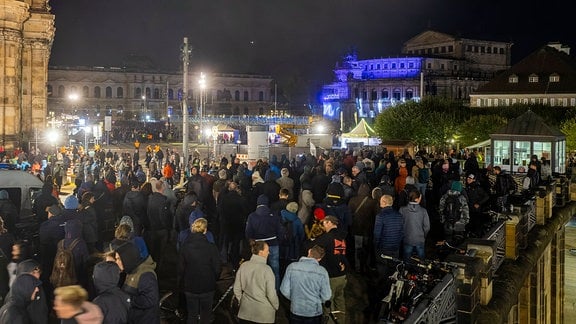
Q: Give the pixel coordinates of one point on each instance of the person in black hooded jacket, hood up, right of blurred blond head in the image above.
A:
(113, 302)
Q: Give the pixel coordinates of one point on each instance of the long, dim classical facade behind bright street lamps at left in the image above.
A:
(91, 93)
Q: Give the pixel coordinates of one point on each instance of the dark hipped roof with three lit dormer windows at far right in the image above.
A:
(543, 63)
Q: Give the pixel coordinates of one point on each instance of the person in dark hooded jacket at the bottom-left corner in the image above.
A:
(23, 292)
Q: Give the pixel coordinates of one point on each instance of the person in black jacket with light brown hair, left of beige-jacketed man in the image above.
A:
(199, 268)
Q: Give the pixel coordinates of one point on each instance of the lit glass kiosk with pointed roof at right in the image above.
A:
(527, 135)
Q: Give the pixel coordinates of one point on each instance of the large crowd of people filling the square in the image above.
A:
(292, 229)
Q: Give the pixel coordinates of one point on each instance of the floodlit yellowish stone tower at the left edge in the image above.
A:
(26, 35)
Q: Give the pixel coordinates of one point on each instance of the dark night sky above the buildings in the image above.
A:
(291, 40)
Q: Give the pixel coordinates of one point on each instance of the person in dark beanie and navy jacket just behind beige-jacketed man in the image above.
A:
(264, 225)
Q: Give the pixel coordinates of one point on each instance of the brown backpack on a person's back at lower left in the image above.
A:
(64, 268)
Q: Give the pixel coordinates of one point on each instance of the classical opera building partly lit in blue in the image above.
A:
(432, 64)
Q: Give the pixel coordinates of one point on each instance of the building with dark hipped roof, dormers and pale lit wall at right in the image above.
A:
(547, 76)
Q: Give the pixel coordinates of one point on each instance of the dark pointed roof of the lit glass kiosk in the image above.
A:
(528, 124)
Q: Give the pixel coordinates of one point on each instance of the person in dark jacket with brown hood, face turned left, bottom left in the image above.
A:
(141, 284)
